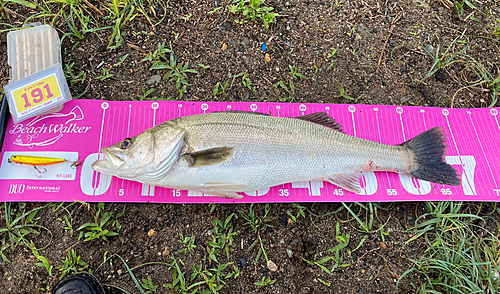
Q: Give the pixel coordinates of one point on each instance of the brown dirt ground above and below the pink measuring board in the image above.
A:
(375, 52)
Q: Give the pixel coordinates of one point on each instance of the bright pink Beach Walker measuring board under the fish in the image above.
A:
(84, 126)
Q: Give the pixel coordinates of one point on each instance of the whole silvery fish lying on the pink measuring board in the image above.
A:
(227, 153)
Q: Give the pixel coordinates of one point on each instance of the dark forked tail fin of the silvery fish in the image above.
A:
(429, 148)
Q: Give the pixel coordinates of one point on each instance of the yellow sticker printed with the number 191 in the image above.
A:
(37, 95)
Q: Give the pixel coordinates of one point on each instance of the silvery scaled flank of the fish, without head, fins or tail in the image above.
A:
(272, 151)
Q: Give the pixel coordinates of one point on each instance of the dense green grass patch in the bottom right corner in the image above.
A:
(457, 259)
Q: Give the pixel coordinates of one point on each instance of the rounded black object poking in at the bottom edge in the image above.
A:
(82, 283)
